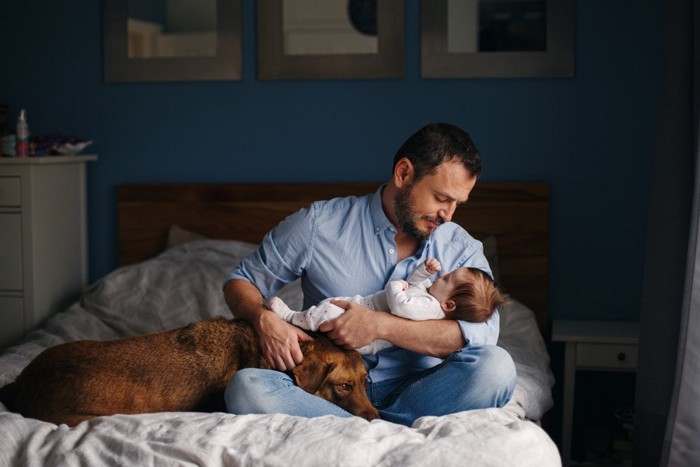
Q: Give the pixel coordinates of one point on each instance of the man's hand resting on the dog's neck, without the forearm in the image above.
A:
(279, 341)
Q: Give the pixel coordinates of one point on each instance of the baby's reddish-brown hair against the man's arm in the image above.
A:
(476, 297)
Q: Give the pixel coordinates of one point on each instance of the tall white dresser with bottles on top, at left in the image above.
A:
(43, 239)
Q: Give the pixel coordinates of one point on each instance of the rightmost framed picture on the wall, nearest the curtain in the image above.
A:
(497, 38)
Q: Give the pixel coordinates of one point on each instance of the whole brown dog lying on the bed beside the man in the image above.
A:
(183, 369)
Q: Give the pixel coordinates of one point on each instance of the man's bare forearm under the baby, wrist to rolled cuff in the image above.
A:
(438, 338)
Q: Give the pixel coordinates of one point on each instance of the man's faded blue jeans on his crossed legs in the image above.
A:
(471, 378)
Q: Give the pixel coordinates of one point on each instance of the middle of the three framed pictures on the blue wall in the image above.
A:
(330, 39)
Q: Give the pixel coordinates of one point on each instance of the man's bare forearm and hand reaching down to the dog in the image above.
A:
(279, 341)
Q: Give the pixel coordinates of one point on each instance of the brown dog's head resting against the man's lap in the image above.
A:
(337, 375)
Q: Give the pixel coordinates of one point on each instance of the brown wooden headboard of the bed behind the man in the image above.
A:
(515, 212)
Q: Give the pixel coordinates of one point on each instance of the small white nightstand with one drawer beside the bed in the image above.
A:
(592, 345)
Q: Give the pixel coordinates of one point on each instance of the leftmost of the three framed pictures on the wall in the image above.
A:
(180, 41)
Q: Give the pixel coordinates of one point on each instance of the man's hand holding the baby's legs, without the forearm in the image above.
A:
(356, 327)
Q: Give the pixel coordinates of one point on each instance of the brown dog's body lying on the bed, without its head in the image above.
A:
(178, 370)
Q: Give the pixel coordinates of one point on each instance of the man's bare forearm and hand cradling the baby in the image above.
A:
(359, 326)
